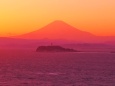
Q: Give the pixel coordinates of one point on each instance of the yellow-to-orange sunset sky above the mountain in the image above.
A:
(22, 16)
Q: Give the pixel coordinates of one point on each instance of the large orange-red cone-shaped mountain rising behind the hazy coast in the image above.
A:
(59, 30)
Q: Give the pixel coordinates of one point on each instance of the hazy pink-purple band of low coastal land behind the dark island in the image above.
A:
(32, 44)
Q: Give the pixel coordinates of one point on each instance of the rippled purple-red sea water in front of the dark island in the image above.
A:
(19, 68)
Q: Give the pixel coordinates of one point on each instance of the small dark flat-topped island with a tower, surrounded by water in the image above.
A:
(54, 49)
